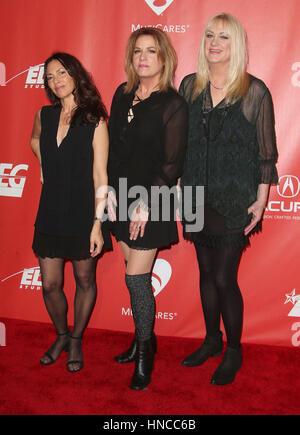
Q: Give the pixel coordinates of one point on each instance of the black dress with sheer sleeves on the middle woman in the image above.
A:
(147, 147)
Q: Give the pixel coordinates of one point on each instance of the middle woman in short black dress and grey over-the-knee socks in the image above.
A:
(148, 130)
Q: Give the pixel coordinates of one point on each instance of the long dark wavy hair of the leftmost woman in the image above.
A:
(90, 108)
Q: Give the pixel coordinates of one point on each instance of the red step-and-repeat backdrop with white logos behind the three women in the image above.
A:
(96, 32)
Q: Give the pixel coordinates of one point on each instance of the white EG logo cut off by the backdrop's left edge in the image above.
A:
(11, 183)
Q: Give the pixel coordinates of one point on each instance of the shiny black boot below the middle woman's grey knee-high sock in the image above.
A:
(143, 365)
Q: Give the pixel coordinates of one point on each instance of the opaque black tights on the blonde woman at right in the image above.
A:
(220, 293)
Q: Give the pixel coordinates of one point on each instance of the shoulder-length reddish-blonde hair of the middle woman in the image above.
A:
(166, 54)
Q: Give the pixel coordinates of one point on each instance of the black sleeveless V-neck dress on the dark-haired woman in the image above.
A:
(67, 204)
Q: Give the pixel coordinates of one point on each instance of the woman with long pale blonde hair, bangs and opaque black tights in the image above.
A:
(232, 153)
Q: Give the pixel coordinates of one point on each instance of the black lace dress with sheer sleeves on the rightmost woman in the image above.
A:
(231, 150)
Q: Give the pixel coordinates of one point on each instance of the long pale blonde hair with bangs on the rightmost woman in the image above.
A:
(237, 81)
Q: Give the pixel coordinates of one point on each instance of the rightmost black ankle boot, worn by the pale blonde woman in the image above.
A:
(229, 367)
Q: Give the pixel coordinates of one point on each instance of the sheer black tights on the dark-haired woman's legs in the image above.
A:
(52, 273)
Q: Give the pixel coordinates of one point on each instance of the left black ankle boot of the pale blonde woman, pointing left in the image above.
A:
(212, 346)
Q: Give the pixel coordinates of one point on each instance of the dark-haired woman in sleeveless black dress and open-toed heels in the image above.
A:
(70, 140)
